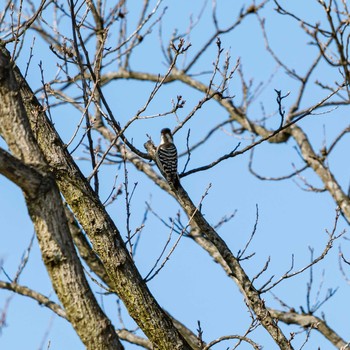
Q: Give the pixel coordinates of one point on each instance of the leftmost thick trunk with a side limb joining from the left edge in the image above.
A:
(28, 169)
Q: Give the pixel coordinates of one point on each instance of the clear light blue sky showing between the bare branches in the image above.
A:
(191, 286)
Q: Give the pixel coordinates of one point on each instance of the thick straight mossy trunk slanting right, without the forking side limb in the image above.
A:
(103, 233)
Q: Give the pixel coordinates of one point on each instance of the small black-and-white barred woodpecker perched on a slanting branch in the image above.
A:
(166, 158)
